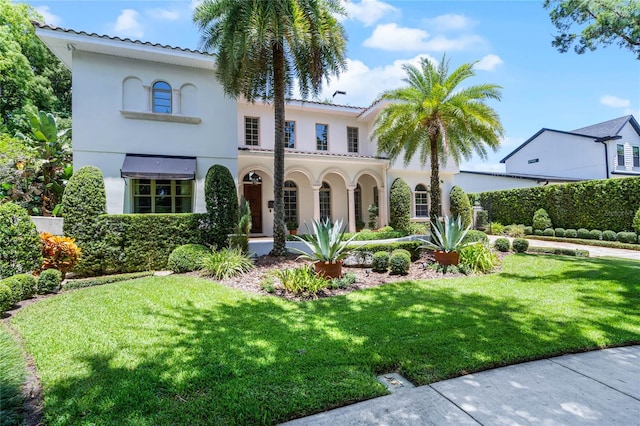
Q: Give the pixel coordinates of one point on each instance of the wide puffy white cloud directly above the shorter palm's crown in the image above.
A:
(394, 38)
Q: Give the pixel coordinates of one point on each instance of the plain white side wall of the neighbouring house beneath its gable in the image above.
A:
(559, 154)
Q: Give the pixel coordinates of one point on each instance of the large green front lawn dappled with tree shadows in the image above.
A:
(182, 350)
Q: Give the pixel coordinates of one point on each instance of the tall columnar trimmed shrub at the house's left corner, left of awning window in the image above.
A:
(83, 201)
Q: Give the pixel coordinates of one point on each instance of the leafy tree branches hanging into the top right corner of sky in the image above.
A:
(598, 22)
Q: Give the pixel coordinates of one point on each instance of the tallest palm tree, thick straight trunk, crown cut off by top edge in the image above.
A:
(265, 46)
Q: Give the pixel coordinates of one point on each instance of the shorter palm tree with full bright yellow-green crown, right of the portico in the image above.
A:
(435, 118)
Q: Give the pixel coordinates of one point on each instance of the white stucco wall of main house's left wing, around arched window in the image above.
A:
(102, 135)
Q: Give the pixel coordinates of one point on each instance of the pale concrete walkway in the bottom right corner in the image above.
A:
(599, 388)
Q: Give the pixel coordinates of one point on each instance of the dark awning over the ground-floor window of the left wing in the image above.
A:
(139, 166)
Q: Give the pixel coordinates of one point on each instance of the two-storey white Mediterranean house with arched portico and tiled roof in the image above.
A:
(154, 119)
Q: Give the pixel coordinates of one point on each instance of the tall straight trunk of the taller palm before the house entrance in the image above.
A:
(279, 239)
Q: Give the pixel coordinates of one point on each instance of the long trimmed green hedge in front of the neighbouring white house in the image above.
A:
(596, 204)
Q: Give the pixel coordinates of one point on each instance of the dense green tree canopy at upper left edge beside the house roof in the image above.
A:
(31, 77)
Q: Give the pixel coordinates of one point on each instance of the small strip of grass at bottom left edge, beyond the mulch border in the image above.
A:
(12, 377)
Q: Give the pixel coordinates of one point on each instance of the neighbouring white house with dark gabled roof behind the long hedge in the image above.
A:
(603, 150)
